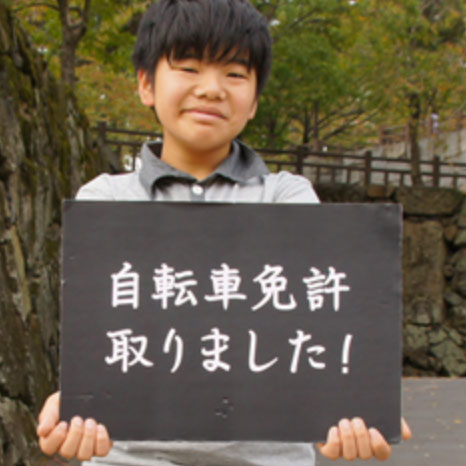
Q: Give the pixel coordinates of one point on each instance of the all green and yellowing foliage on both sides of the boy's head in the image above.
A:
(340, 67)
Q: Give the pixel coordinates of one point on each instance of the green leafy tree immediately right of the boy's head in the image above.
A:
(317, 94)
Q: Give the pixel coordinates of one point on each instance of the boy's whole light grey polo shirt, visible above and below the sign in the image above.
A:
(241, 177)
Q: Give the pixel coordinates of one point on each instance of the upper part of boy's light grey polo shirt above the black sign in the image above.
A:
(241, 177)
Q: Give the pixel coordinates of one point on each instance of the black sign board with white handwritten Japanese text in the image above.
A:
(231, 321)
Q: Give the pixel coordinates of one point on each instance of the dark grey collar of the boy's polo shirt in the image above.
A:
(242, 164)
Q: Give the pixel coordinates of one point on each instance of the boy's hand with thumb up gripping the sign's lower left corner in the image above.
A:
(82, 440)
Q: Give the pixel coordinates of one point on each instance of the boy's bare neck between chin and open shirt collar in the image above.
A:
(199, 164)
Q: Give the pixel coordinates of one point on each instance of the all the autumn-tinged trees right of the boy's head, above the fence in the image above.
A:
(342, 67)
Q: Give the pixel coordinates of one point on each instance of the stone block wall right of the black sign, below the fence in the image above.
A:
(434, 273)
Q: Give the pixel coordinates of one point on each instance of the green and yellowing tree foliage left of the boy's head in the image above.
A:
(98, 64)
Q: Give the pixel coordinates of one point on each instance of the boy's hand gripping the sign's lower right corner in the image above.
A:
(352, 439)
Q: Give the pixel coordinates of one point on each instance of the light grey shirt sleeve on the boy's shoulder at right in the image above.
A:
(294, 189)
